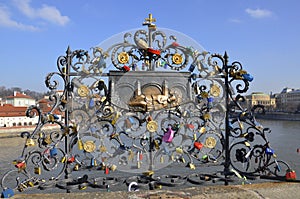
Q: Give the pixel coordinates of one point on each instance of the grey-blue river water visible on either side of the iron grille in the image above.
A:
(284, 139)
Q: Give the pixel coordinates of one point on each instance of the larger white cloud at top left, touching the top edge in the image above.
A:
(46, 12)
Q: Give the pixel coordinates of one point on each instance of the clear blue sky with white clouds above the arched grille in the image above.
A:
(262, 34)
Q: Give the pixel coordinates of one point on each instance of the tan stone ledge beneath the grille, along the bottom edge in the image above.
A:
(269, 190)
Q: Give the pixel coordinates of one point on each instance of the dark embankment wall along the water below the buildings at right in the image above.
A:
(279, 116)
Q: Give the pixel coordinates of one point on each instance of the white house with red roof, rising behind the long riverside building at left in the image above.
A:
(20, 100)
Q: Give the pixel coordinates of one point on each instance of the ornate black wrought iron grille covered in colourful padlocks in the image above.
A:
(139, 105)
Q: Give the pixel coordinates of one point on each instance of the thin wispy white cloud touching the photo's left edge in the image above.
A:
(7, 21)
